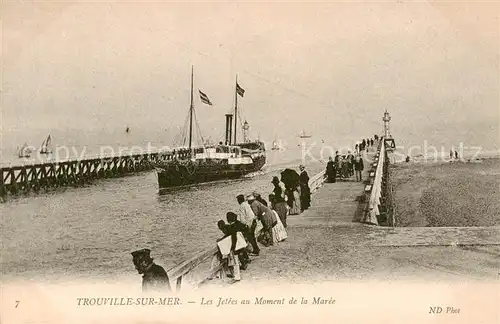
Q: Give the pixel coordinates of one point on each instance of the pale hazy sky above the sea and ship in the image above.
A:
(84, 69)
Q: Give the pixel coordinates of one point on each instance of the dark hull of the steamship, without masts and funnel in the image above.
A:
(187, 173)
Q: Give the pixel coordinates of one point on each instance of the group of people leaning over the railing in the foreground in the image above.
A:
(290, 195)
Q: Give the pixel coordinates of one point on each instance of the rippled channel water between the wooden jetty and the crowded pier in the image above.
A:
(90, 231)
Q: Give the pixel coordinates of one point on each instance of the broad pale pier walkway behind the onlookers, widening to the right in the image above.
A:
(328, 243)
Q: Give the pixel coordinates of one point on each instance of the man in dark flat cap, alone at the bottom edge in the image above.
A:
(154, 277)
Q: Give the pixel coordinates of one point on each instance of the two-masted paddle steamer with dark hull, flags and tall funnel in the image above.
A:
(228, 160)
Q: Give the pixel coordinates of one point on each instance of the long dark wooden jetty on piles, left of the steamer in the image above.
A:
(52, 174)
